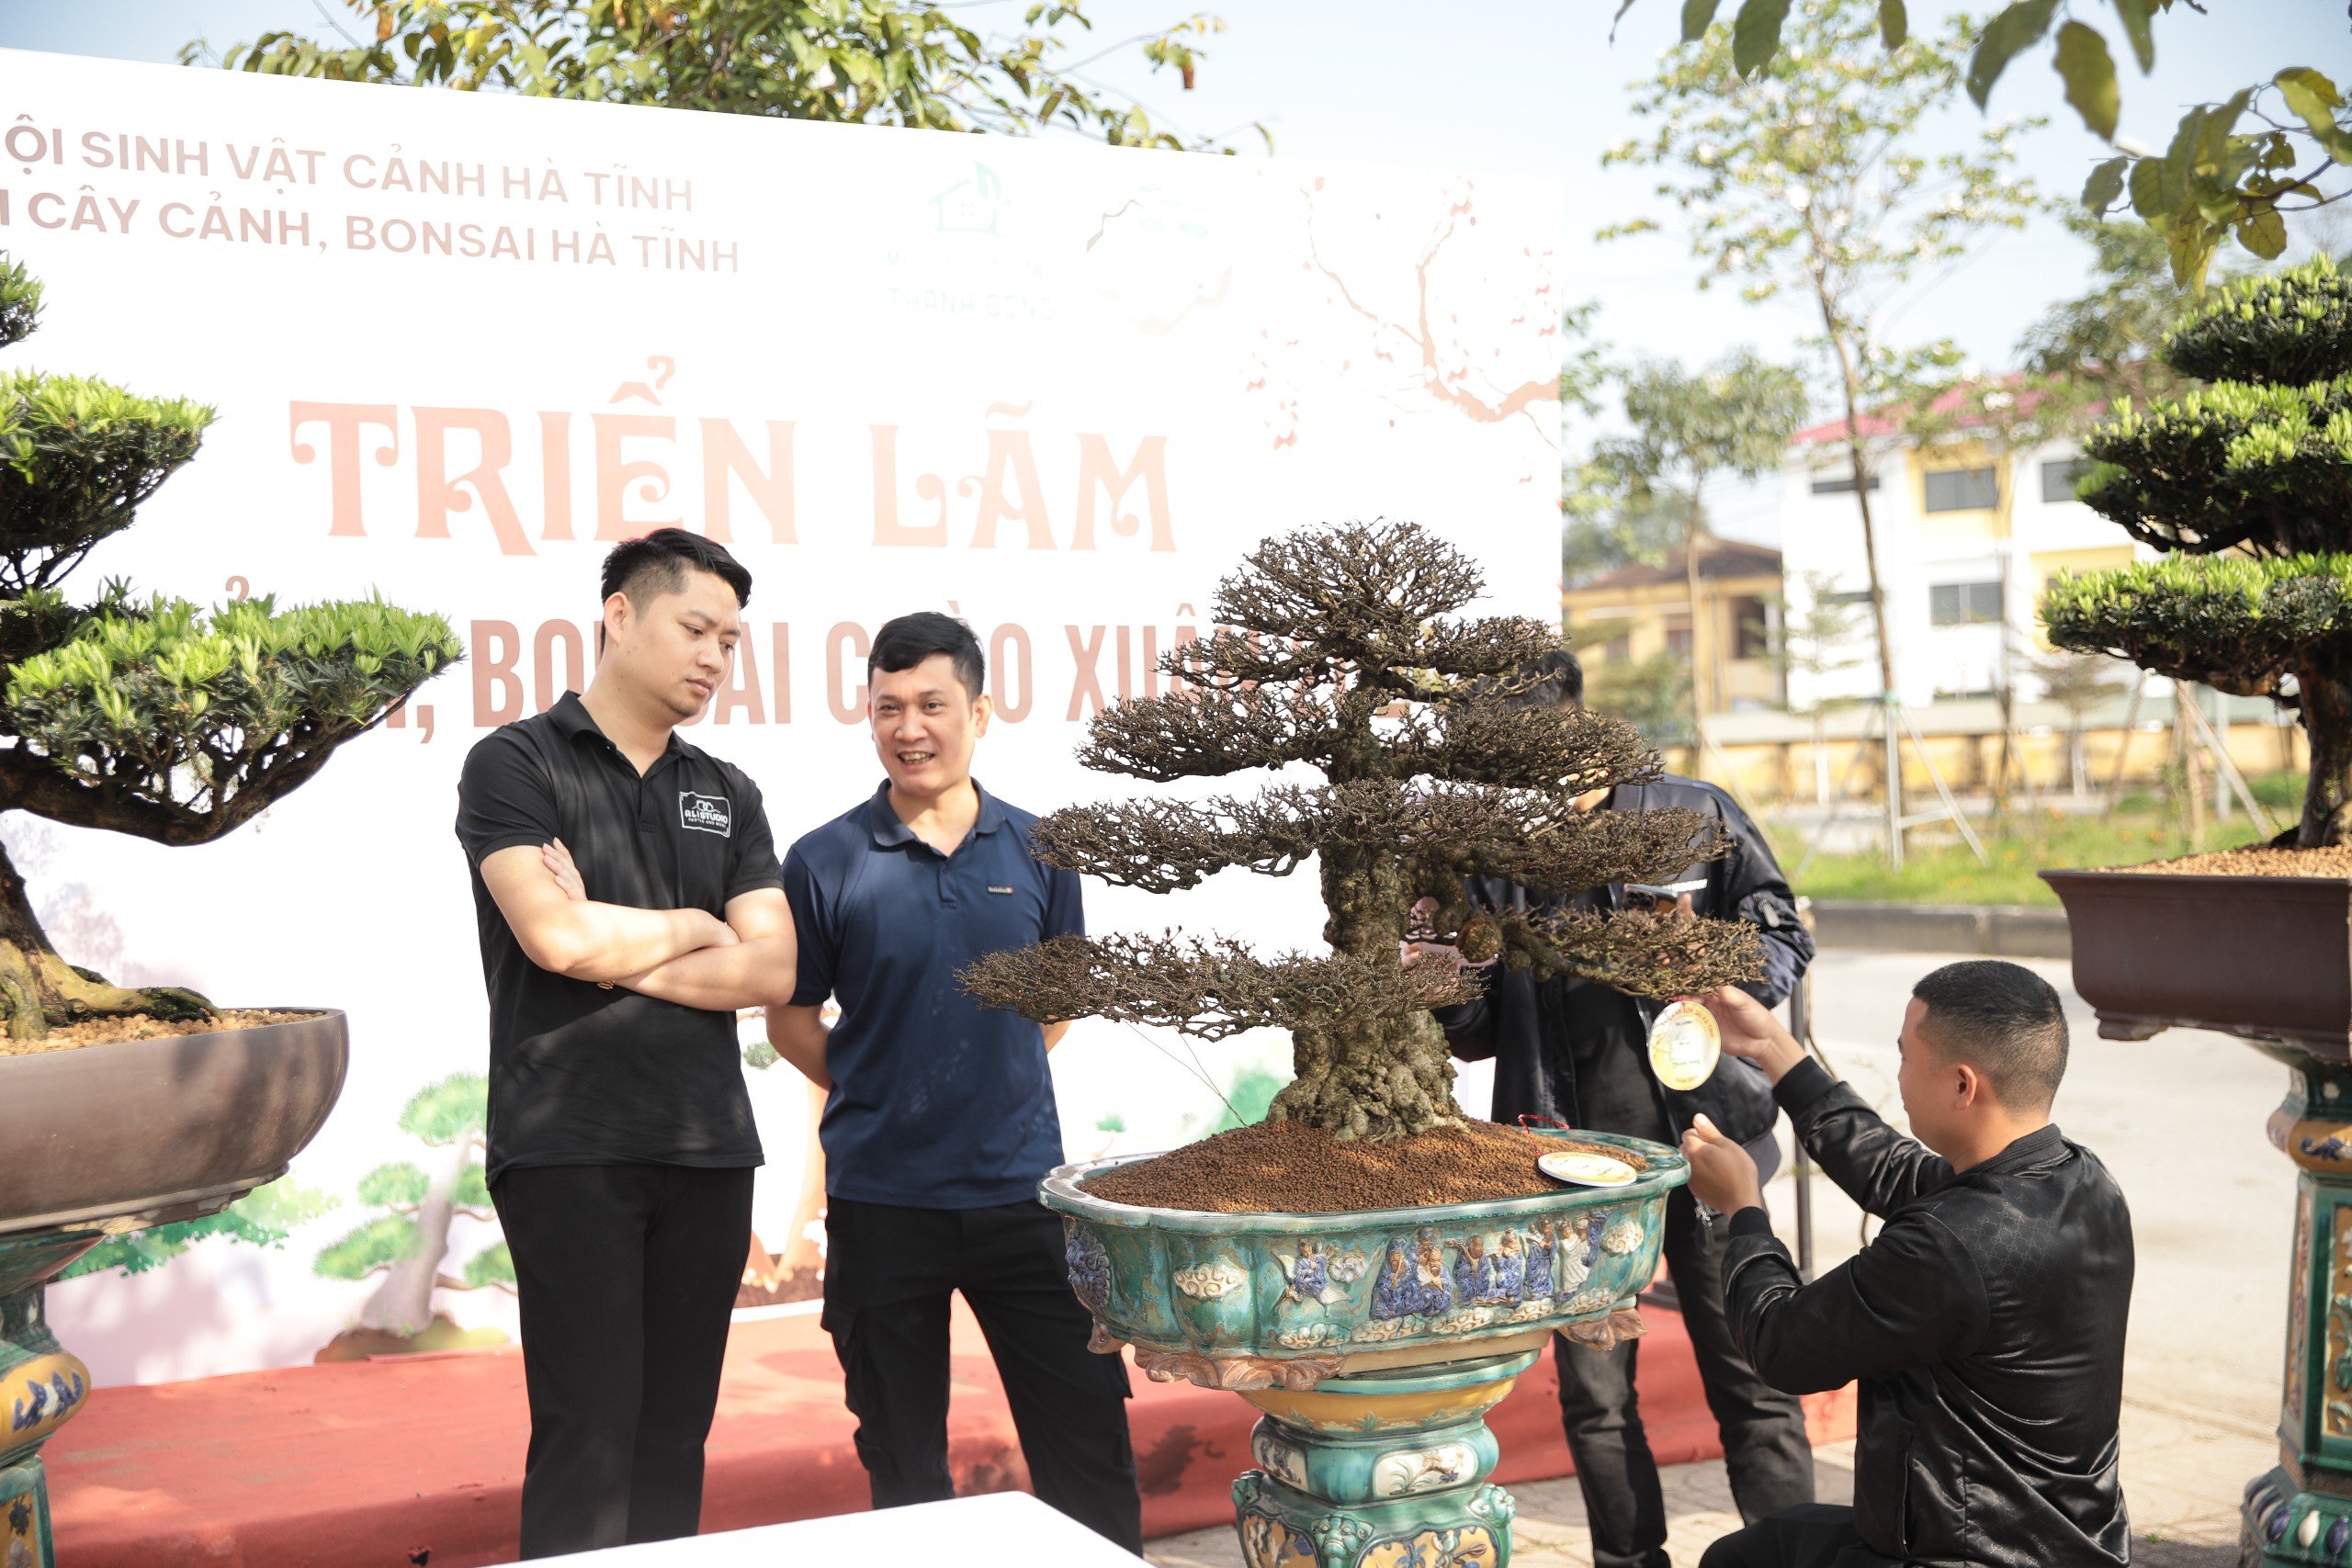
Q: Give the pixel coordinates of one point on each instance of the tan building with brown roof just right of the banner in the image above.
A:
(1638, 612)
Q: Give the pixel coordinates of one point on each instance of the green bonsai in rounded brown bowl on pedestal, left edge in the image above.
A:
(140, 1106)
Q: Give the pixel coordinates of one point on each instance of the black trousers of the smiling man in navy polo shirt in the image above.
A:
(888, 1280)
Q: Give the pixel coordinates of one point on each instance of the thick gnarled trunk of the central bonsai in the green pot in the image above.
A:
(1368, 1078)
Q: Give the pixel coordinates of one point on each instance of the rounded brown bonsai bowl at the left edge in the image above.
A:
(145, 1132)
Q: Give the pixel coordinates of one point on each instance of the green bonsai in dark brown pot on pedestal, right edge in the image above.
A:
(2245, 485)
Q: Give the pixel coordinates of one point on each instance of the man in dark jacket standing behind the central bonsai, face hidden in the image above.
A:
(1579, 1052)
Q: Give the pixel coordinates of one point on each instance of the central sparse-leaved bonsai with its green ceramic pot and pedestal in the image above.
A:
(1368, 1266)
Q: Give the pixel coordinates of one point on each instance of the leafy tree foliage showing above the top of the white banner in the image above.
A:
(869, 62)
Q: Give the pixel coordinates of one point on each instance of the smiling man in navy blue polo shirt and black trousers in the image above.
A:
(940, 1113)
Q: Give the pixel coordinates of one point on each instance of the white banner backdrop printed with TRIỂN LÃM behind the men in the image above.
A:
(465, 342)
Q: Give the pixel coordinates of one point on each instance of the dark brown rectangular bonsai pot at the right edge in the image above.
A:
(2266, 958)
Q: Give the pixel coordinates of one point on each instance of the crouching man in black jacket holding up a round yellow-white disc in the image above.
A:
(1986, 1322)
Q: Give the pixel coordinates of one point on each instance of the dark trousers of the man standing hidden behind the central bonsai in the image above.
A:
(1765, 1447)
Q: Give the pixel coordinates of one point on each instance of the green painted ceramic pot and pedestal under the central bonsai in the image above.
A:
(1375, 1343)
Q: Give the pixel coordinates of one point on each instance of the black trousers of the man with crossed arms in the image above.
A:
(627, 1278)
